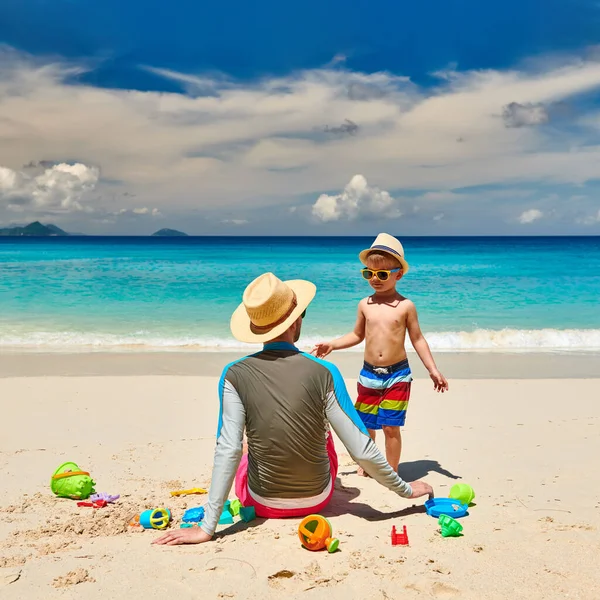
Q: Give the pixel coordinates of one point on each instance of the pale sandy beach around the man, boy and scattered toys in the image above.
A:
(144, 425)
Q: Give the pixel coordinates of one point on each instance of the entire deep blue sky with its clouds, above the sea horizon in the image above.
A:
(447, 118)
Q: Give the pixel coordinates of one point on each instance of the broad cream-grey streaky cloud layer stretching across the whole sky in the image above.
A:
(230, 144)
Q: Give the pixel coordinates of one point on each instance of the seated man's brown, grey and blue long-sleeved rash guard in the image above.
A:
(285, 399)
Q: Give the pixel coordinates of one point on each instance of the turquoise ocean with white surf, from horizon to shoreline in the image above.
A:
(150, 294)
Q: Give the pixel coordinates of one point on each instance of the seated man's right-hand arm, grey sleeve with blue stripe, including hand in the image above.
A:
(347, 424)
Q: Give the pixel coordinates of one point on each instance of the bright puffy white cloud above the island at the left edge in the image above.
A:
(60, 188)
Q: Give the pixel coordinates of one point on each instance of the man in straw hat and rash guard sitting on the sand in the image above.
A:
(284, 399)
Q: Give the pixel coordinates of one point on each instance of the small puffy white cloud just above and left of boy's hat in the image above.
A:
(358, 198)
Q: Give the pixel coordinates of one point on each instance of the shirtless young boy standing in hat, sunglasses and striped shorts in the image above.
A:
(382, 321)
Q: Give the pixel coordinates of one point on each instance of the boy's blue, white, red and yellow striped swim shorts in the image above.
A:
(383, 394)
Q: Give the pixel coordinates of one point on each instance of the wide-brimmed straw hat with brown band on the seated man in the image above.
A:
(269, 307)
